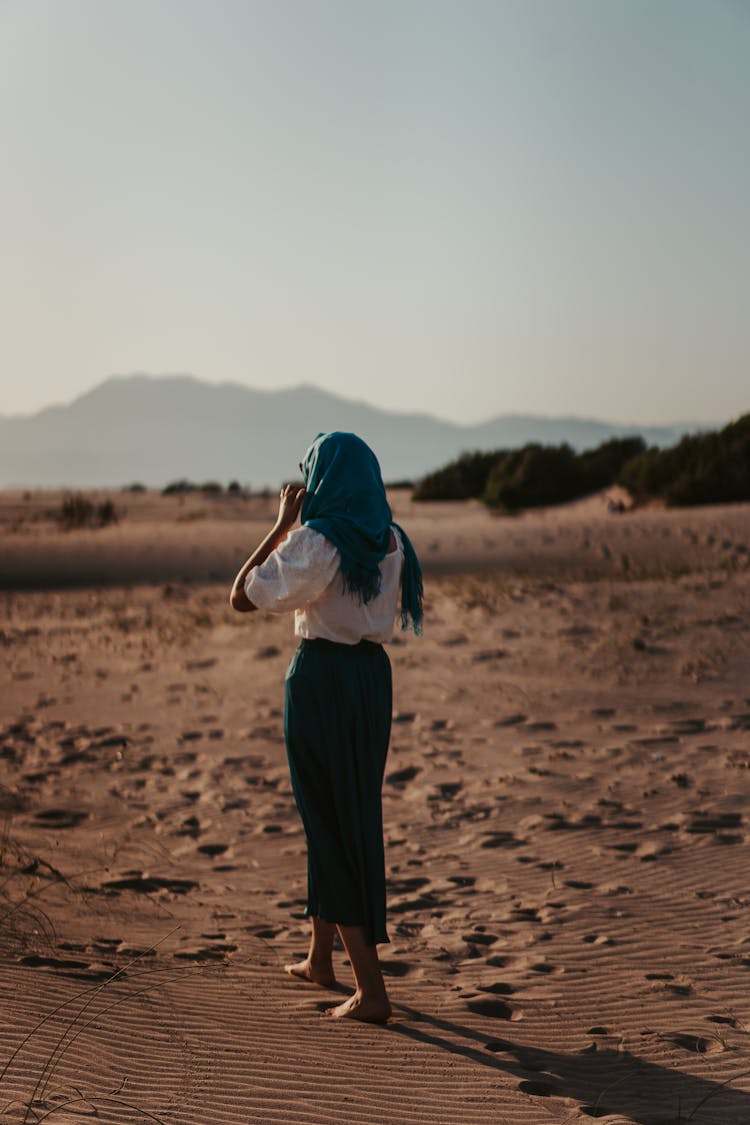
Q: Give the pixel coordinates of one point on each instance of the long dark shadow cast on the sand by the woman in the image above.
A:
(603, 1082)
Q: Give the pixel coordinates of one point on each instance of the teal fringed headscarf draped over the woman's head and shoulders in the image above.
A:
(346, 501)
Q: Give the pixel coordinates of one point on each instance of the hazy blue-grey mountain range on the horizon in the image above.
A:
(153, 430)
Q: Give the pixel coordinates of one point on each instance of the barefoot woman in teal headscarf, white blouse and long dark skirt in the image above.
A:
(341, 572)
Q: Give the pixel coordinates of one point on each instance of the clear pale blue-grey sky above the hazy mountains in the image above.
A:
(455, 206)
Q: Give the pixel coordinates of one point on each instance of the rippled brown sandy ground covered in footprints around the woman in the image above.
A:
(566, 822)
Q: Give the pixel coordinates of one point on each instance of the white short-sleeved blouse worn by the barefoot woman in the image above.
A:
(303, 574)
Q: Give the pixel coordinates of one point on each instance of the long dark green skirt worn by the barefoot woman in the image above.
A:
(338, 713)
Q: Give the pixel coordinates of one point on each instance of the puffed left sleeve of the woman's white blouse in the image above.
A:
(295, 574)
